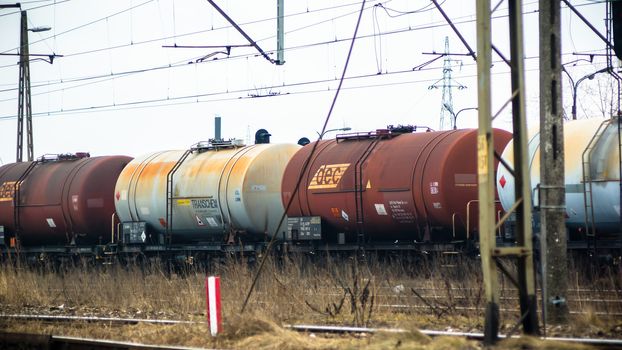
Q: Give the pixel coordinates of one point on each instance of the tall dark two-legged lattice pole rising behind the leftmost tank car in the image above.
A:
(24, 106)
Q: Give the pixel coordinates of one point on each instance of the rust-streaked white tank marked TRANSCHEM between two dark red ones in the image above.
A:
(214, 191)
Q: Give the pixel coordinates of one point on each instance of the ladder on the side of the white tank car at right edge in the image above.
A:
(590, 230)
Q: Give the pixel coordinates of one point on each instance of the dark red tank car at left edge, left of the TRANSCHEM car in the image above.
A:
(59, 200)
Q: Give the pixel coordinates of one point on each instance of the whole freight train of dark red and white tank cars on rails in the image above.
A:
(392, 189)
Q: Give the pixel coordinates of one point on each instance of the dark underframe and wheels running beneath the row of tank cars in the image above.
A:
(197, 253)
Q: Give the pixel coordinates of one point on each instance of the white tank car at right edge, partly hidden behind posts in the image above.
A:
(592, 175)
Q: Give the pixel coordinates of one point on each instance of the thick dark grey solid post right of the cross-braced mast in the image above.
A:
(552, 191)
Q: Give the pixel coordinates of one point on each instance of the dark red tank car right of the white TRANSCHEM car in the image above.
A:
(390, 185)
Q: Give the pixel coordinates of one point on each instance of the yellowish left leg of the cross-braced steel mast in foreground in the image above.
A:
(485, 178)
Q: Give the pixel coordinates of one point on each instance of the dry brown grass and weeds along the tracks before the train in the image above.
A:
(434, 294)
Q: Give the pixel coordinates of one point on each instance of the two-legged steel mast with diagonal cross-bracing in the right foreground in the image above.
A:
(490, 254)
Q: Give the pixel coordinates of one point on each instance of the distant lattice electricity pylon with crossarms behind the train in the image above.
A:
(448, 116)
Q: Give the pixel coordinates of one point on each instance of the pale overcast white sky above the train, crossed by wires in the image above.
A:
(118, 90)
